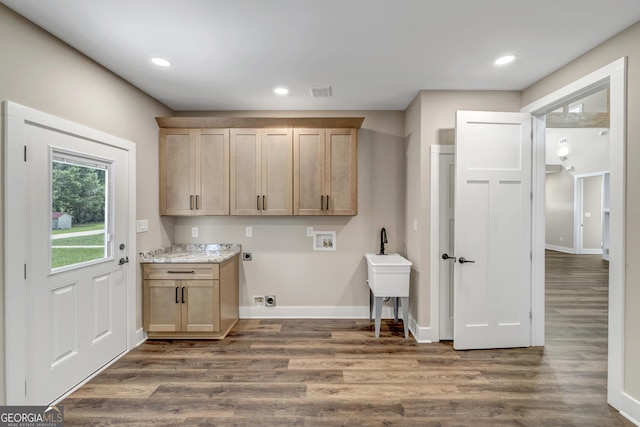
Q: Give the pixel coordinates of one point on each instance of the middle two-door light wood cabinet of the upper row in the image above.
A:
(261, 165)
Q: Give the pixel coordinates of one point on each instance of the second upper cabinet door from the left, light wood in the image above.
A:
(212, 172)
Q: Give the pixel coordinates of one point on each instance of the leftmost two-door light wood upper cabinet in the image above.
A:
(194, 172)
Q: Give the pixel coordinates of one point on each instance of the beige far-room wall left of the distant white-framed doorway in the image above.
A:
(559, 210)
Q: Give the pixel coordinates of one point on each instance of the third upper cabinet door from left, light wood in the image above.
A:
(245, 179)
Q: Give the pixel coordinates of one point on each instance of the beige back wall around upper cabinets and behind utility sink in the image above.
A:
(284, 263)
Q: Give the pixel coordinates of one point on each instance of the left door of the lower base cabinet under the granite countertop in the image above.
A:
(162, 305)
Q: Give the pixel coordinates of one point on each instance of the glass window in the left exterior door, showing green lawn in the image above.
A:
(79, 211)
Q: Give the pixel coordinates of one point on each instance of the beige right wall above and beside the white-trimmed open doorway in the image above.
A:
(627, 43)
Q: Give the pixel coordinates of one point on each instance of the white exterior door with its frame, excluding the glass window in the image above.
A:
(62, 325)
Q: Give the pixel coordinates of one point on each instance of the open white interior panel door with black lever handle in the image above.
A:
(492, 275)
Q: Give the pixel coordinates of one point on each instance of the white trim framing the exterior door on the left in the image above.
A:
(16, 117)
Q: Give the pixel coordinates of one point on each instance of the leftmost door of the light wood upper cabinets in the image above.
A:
(177, 174)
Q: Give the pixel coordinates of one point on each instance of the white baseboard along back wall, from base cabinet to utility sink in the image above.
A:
(313, 312)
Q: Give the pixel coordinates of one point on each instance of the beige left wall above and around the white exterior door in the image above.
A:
(39, 71)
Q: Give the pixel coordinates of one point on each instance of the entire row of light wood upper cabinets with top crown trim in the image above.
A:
(258, 166)
